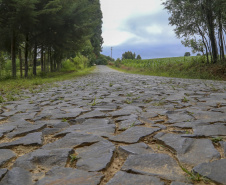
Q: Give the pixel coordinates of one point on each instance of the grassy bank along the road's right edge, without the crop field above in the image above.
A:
(191, 70)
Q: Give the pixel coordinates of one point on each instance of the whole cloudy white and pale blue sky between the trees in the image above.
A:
(140, 26)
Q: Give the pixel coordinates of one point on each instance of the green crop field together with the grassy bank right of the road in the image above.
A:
(178, 67)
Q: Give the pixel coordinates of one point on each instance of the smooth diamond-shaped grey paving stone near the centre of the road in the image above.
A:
(134, 134)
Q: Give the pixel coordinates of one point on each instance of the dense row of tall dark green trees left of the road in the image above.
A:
(50, 29)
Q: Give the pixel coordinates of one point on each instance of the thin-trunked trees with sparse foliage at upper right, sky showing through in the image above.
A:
(202, 24)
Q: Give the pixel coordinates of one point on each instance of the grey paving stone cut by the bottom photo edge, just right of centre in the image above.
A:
(127, 178)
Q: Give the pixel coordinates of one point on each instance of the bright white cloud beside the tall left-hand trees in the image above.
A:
(115, 14)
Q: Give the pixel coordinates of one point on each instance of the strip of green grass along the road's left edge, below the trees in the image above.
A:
(11, 89)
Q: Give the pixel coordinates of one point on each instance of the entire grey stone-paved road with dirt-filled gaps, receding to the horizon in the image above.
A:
(116, 129)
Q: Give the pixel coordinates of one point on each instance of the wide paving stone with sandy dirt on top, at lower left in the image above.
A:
(44, 158)
